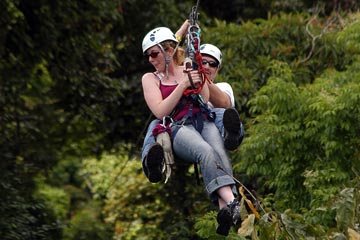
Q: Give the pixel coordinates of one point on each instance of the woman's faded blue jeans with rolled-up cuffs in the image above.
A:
(206, 149)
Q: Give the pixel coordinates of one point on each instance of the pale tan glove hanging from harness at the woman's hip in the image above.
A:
(164, 140)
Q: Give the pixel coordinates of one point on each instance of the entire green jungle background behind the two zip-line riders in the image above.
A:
(72, 119)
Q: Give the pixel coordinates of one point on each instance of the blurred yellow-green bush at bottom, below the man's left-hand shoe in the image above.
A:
(138, 208)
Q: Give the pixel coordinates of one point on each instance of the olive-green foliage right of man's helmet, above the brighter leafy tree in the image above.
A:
(248, 50)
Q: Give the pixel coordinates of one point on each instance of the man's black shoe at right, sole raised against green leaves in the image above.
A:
(231, 121)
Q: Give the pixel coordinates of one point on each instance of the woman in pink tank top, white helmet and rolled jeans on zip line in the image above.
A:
(195, 138)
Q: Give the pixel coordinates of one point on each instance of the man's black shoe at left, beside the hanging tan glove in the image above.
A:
(153, 163)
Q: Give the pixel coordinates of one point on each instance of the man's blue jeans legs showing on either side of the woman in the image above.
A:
(149, 139)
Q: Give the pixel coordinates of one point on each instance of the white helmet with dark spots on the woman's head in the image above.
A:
(156, 36)
